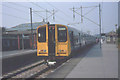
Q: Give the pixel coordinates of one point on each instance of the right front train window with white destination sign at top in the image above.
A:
(62, 34)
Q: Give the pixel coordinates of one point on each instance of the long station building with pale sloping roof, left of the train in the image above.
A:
(19, 37)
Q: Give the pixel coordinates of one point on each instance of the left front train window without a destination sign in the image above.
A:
(42, 34)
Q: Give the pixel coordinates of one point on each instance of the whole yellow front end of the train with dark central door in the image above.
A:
(53, 42)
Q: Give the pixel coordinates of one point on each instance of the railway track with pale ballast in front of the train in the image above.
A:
(36, 70)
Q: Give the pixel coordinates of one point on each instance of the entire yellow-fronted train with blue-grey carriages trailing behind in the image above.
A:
(56, 42)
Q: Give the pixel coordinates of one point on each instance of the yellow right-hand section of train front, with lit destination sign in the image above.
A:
(63, 46)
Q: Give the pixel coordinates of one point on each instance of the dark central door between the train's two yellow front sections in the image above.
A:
(51, 40)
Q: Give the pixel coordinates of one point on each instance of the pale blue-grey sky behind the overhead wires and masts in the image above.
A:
(15, 13)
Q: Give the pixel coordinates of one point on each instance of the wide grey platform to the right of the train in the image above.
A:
(94, 63)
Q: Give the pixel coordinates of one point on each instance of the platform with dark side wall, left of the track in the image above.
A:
(13, 60)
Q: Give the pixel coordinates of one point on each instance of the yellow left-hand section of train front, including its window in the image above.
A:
(42, 41)
